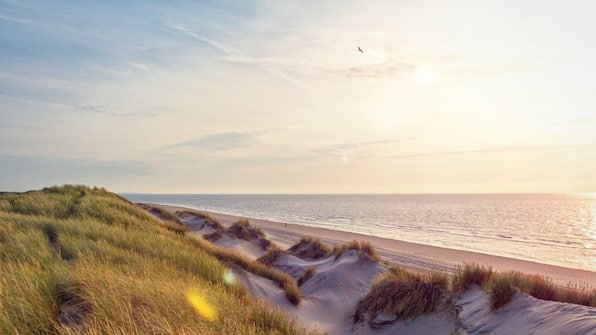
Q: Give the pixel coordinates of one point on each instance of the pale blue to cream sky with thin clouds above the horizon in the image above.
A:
(274, 96)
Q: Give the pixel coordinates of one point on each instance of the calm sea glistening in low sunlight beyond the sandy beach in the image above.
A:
(557, 229)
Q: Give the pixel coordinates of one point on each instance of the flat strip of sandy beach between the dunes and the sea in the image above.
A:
(413, 256)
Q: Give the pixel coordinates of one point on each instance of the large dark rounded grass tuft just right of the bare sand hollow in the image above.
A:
(403, 299)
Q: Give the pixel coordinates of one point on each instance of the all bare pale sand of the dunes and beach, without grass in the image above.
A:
(329, 298)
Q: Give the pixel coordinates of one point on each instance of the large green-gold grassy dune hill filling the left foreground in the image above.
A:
(80, 260)
